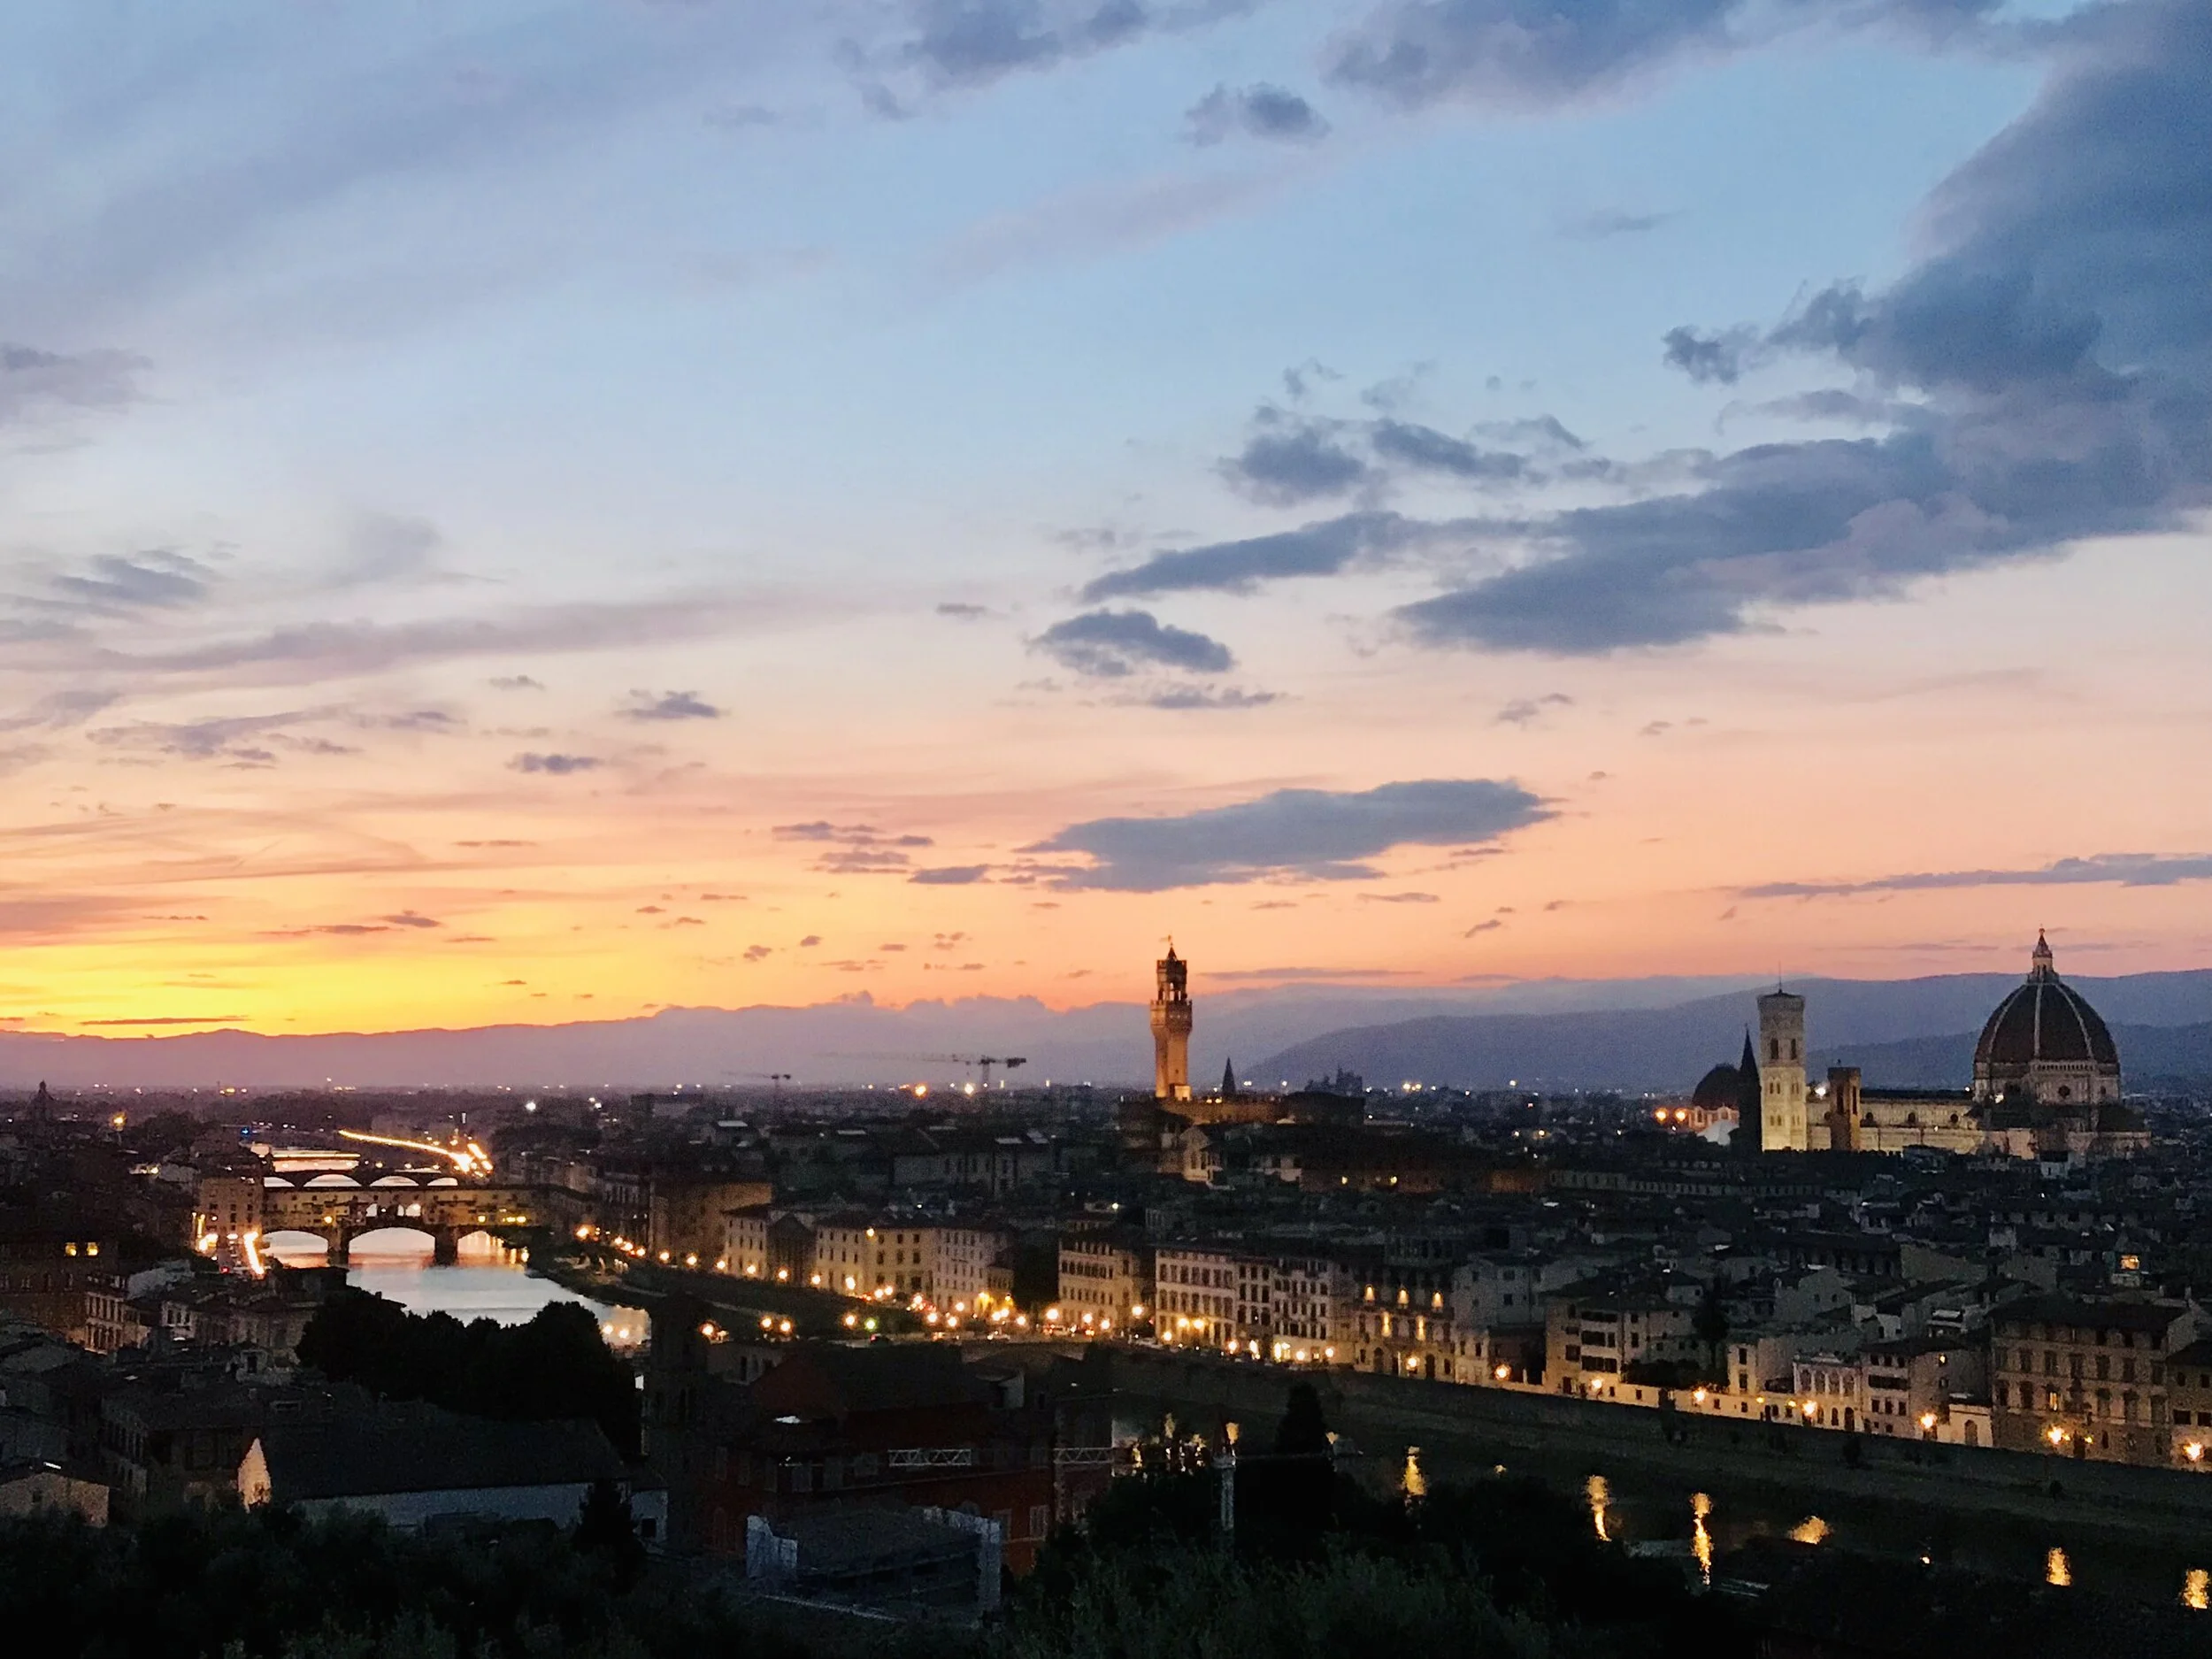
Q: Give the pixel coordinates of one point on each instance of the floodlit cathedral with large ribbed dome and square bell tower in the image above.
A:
(2045, 1085)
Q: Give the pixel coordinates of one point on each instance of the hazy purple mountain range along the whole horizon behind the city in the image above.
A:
(1554, 1034)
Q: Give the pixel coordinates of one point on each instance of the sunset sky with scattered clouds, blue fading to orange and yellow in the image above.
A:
(556, 510)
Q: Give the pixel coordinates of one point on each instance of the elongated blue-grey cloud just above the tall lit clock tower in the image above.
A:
(1293, 833)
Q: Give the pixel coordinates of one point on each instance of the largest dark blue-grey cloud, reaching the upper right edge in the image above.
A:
(2058, 346)
